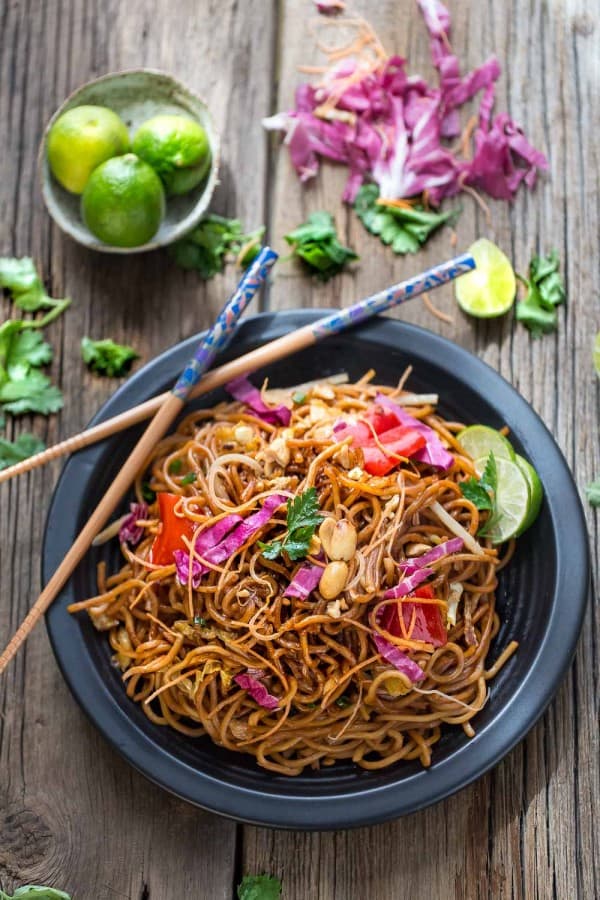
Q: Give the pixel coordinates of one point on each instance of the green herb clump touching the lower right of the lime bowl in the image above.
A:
(207, 246)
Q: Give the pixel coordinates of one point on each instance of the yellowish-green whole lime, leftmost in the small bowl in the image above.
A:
(80, 140)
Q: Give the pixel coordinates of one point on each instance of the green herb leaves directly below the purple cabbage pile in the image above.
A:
(404, 229)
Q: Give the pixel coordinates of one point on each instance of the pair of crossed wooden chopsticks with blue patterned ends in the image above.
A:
(166, 407)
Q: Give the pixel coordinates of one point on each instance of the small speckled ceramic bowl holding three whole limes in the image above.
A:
(129, 162)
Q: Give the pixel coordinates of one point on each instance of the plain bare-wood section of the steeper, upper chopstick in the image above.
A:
(123, 481)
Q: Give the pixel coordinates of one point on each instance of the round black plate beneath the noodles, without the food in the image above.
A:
(541, 597)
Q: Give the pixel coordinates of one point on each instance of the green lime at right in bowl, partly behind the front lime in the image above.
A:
(177, 148)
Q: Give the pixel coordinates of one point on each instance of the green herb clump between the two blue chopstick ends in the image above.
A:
(316, 243)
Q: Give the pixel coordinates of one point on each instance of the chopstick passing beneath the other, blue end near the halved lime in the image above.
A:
(264, 355)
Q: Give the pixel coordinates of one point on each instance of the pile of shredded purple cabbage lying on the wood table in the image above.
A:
(395, 125)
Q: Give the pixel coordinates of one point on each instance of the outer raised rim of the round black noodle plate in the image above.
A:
(366, 805)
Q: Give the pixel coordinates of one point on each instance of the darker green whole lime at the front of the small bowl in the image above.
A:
(123, 202)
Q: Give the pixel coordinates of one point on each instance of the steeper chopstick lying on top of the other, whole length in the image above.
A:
(172, 404)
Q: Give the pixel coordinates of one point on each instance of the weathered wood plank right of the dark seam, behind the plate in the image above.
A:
(526, 829)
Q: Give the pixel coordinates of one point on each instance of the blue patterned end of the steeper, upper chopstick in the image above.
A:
(219, 336)
